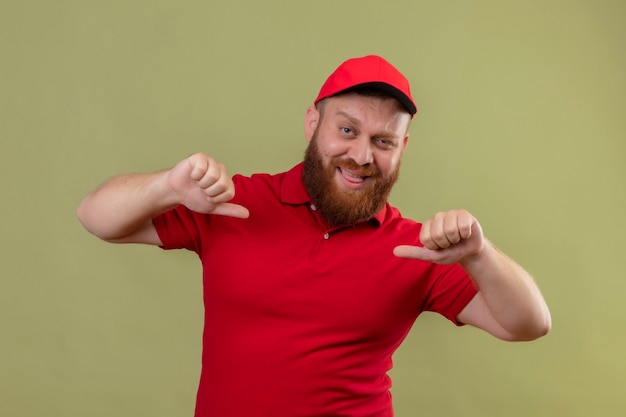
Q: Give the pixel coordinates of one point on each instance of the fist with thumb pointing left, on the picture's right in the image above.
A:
(449, 237)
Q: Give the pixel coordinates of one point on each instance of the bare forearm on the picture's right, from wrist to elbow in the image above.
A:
(510, 293)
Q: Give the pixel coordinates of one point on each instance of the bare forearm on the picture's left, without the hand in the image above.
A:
(125, 203)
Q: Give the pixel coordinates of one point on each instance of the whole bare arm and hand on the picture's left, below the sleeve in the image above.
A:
(121, 209)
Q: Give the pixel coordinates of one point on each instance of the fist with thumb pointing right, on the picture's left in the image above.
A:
(201, 184)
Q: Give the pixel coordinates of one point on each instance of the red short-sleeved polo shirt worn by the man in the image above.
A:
(301, 319)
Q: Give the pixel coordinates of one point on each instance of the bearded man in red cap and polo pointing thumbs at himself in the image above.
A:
(311, 279)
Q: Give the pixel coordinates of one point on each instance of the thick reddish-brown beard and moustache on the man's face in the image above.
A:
(343, 206)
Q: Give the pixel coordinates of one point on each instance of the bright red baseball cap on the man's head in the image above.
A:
(369, 71)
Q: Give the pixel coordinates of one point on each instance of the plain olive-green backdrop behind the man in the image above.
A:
(522, 122)
